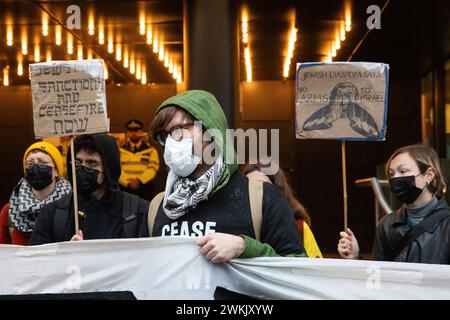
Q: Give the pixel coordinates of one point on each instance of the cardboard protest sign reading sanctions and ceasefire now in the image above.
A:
(69, 98)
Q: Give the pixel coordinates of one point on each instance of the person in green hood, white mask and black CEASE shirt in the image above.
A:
(209, 198)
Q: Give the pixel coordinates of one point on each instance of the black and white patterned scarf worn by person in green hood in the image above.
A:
(183, 193)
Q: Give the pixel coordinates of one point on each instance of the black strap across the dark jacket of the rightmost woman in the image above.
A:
(419, 229)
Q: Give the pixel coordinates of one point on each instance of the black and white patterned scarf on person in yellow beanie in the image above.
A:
(24, 207)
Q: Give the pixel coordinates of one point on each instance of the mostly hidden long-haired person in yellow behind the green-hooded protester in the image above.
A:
(302, 217)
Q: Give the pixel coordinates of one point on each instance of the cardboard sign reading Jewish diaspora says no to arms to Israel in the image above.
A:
(341, 100)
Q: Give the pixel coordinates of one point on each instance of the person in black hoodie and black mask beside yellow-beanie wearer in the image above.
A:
(105, 212)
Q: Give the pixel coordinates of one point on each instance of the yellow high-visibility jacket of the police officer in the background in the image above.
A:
(141, 165)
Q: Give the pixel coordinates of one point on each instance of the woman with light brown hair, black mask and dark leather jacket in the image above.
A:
(420, 230)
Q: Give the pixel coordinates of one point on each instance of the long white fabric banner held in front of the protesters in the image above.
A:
(173, 268)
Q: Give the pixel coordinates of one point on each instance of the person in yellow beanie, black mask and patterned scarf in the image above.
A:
(43, 183)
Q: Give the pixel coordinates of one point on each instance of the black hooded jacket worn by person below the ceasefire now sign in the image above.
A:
(117, 215)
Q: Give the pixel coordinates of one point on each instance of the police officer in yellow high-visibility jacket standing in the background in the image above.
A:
(140, 162)
